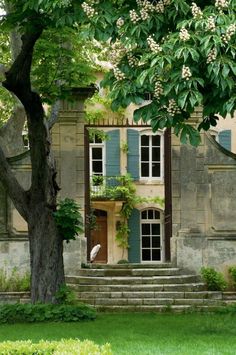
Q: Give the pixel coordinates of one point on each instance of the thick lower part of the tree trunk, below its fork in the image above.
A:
(46, 255)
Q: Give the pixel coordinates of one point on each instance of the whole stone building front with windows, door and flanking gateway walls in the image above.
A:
(194, 227)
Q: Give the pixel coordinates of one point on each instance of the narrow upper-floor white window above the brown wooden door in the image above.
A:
(97, 163)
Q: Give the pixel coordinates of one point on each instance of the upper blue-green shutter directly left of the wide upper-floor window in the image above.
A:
(133, 153)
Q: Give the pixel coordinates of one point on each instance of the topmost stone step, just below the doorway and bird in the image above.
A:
(128, 266)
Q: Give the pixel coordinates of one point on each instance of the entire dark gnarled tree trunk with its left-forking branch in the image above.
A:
(37, 204)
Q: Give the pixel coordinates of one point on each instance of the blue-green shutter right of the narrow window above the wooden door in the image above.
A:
(113, 153)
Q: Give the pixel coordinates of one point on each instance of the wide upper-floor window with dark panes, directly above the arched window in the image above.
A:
(151, 152)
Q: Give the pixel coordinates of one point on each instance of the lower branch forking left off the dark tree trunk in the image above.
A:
(15, 191)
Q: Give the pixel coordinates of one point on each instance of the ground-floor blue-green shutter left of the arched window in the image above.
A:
(134, 237)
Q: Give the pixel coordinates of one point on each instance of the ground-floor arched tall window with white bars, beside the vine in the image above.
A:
(151, 235)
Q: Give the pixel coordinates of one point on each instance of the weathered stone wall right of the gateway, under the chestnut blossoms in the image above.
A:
(204, 205)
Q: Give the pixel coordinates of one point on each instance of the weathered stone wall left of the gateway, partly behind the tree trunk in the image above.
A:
(68, 147)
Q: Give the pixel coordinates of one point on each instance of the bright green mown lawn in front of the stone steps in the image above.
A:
(205, 334)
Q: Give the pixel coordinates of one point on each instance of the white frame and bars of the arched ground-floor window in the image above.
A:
(162, 244)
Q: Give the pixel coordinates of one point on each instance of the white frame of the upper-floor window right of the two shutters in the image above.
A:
(150, 177)
